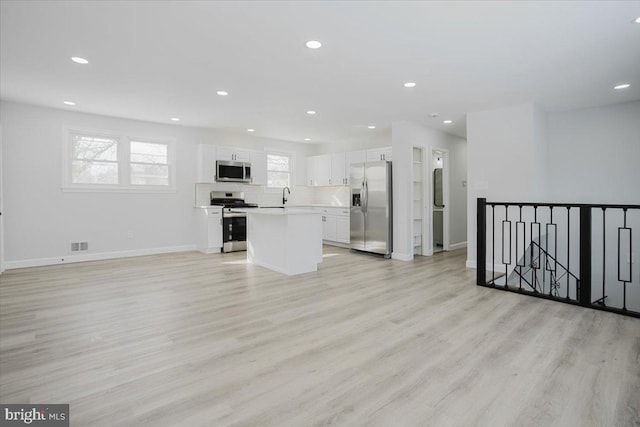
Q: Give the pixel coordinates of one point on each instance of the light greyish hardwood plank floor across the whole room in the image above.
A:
(190, 339)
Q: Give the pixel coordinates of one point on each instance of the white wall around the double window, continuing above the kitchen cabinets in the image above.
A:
(41, 220)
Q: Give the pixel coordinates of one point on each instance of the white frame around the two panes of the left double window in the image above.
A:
(124, 162)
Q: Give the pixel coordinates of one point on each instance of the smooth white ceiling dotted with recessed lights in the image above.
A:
(156, 60)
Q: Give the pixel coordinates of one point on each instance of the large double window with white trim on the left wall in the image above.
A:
(105, 162)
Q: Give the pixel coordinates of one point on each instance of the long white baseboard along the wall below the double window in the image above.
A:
(38, 262)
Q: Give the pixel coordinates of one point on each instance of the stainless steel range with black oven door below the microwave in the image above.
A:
(234, 219)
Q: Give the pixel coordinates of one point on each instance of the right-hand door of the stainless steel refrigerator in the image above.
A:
(377, 207)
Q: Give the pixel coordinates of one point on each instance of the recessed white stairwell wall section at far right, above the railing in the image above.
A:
(594, 155)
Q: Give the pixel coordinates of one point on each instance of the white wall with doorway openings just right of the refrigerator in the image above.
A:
(406, 135)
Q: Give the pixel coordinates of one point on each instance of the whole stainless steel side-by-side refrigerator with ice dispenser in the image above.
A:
(371, 207)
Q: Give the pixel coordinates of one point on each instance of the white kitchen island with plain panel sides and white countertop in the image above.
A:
(288, 241)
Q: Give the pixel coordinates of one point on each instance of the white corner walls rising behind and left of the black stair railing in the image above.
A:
(583, 156)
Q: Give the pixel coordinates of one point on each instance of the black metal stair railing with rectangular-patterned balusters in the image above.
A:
(580, 254)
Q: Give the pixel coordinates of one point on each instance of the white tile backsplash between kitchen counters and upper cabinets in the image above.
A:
(263, 196)
